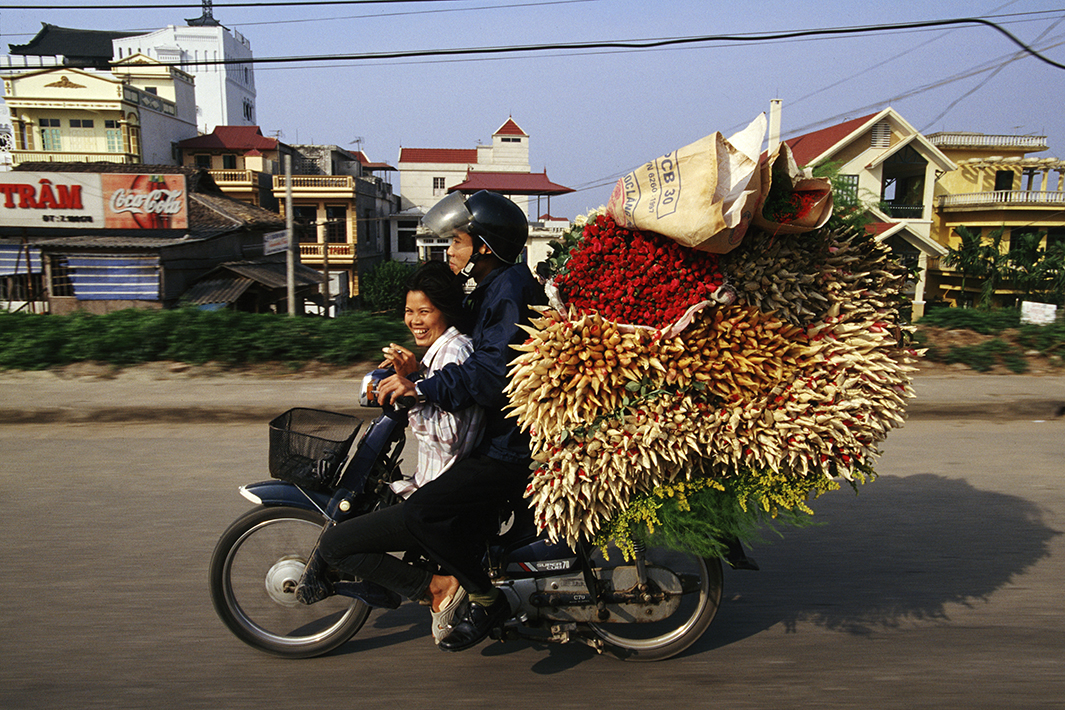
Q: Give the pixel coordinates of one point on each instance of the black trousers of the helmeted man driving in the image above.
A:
(453, 517)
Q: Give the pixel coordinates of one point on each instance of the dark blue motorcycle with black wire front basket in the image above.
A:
(650, 608)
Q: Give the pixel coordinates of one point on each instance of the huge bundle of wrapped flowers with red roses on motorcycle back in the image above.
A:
(690, 398)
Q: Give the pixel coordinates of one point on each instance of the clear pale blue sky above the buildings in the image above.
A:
(595, 115)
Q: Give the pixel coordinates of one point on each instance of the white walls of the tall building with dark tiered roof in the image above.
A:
(225, 93)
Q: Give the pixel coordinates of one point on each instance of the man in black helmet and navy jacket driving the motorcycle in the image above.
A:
(455, 516)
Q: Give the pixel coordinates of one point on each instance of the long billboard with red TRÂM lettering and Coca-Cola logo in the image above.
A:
(102, 201)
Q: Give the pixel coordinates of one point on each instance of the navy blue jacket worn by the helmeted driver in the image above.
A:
(499, 305)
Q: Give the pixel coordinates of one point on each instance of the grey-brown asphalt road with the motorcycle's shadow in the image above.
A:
(940, 586)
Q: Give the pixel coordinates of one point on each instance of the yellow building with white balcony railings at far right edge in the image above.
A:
(996, 186)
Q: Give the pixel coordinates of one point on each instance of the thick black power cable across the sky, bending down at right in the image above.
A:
(631, 45)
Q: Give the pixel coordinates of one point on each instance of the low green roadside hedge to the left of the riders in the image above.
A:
(233, 338)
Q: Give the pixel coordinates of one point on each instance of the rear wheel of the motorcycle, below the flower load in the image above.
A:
(702, 583)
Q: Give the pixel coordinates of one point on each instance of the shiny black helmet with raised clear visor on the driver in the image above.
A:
(487, 217)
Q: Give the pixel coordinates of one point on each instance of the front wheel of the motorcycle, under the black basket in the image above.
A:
(255, 569)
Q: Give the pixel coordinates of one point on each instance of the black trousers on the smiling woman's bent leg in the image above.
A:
(361, 548)
